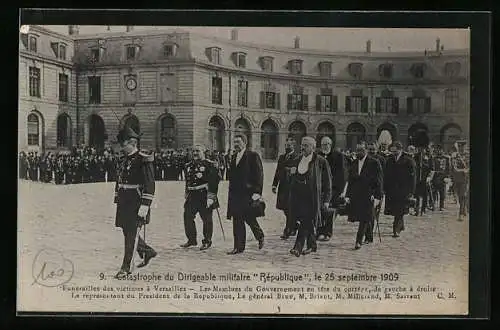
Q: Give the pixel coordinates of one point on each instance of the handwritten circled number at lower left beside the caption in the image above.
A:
(50, 268)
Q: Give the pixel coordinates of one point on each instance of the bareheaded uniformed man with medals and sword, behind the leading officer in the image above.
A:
(202, 182)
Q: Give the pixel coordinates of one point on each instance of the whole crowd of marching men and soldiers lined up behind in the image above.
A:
(314, 183)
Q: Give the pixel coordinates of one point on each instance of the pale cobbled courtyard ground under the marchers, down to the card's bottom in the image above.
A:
(78, 222)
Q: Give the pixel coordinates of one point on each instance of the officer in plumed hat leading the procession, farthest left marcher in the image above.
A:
(134, 192)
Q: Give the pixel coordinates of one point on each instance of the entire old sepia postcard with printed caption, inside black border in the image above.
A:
(245, 170)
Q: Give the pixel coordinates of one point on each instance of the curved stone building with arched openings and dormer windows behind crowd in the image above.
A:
(178, 88)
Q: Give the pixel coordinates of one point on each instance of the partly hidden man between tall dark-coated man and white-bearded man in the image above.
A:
(281, 185)
